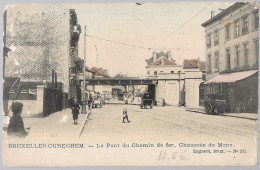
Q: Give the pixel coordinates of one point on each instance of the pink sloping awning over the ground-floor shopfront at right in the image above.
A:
(231, 77)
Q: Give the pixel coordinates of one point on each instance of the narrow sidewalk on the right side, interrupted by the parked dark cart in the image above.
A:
(250, 116)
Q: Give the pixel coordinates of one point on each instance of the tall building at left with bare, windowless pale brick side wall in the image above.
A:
(42, 41)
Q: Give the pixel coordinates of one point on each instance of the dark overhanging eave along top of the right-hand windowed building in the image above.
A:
(224, 13)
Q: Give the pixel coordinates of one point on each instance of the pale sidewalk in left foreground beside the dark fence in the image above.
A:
(58, 125)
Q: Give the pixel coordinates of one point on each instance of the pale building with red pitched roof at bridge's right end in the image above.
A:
(176, 85)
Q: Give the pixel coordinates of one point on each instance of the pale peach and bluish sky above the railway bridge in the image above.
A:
(164, 26)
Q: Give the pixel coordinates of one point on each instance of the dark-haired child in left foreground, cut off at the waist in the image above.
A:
(16, 126)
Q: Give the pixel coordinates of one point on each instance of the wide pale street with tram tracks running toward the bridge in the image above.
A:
(165, 124)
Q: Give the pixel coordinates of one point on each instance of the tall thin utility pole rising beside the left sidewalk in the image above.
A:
(84, 102)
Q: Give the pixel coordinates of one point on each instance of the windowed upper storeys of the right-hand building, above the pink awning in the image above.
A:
(232, 39)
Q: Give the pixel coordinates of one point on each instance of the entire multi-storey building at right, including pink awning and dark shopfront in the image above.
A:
(232, 51)
